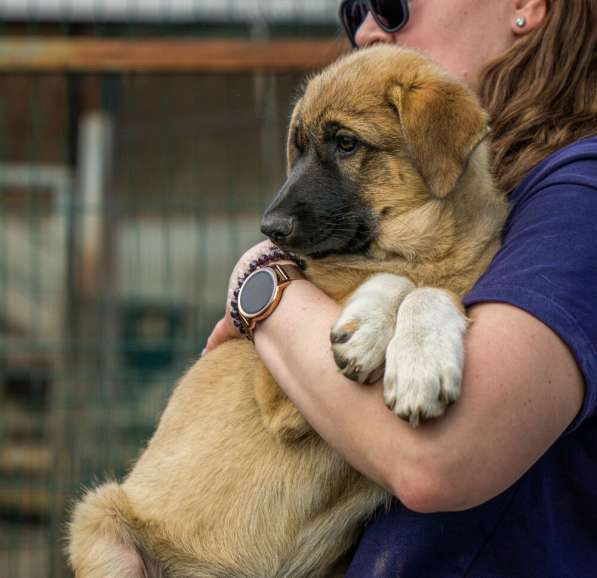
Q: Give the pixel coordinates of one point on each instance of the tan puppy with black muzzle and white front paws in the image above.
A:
(388, 192)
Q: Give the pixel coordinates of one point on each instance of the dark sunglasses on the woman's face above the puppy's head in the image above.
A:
(390, 15)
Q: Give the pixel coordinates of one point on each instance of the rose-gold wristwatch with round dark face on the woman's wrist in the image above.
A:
(261, 292)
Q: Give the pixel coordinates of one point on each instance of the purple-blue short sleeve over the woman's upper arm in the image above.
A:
(547, 265)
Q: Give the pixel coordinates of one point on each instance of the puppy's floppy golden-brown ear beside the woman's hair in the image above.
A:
(442, 124)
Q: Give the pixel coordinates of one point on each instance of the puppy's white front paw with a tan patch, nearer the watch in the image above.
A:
(366, 325)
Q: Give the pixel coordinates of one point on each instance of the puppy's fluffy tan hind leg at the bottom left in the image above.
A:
(101, 541)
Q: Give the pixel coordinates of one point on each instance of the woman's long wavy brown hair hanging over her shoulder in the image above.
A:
(542, 93)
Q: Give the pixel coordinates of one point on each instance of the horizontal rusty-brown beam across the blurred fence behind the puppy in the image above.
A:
(147, 55)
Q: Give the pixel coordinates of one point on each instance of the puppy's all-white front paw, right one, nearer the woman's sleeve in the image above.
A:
(424, 359)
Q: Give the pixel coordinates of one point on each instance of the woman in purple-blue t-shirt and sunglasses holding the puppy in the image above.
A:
(505, 483)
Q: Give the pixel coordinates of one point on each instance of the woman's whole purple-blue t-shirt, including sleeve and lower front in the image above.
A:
(545, 525)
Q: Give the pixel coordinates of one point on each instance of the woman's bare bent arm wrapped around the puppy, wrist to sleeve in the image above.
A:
(521, 389)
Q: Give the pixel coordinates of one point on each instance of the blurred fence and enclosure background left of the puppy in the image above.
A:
(140, 141)
